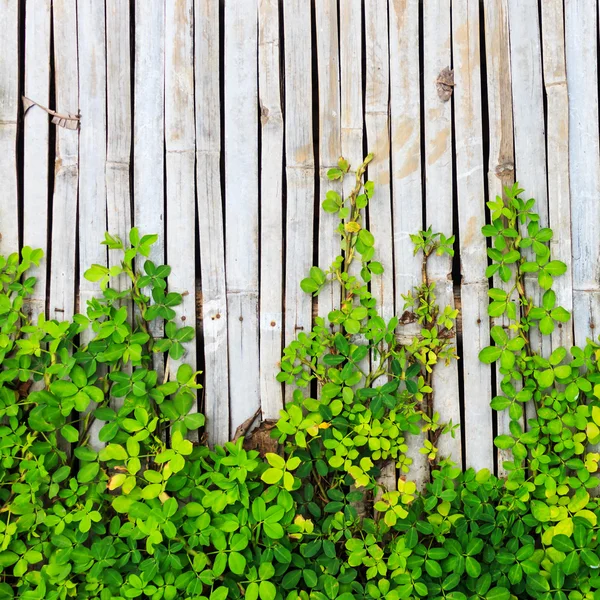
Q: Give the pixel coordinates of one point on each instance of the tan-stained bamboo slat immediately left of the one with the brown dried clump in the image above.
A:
(407, 213)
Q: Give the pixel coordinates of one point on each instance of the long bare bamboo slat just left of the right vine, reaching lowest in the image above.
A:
(470, 187)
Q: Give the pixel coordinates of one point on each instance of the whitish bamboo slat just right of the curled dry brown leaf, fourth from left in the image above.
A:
(91, 48)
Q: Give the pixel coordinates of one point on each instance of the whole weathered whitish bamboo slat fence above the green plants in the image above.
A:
(213, 124)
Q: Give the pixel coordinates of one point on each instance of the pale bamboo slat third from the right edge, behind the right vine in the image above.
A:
(528, 115)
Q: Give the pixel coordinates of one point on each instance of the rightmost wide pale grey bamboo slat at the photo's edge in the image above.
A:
(584, 164)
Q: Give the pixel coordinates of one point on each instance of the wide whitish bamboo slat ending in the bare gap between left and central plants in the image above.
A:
(241, 207)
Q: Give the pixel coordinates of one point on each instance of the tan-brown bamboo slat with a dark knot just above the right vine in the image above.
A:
(501, 147)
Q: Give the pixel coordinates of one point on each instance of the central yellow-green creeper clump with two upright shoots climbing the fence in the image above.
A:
(364, 410)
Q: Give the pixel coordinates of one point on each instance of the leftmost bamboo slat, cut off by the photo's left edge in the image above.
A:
(9, 108)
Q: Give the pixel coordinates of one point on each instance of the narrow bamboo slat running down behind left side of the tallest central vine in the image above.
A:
(330, 142)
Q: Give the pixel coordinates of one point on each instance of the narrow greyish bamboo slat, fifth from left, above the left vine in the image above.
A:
(118, 142)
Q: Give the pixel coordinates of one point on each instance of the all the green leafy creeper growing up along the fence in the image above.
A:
(138, 510)
